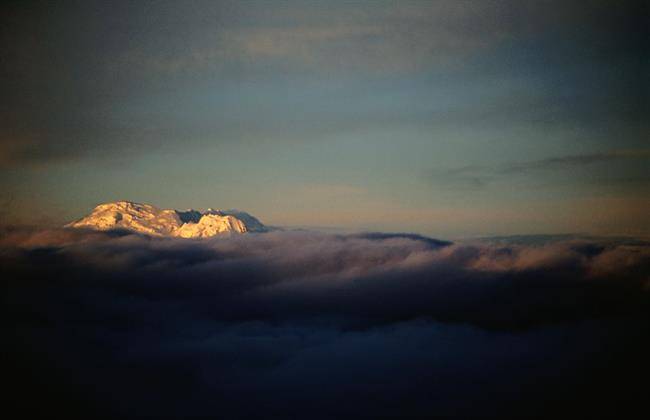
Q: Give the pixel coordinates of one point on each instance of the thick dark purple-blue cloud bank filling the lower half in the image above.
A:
(299, 324)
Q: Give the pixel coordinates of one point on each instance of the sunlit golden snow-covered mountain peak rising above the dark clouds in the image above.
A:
(150, 220)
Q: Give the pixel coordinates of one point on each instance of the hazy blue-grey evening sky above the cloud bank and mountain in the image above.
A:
(445, 118)
